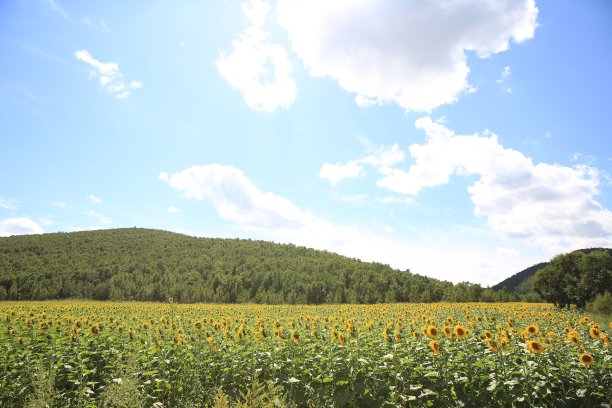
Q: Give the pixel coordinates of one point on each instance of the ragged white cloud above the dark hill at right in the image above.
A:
(547, 204)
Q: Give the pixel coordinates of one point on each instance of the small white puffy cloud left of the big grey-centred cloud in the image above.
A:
(259, 69)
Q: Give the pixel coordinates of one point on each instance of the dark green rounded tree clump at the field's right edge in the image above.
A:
(575, 278)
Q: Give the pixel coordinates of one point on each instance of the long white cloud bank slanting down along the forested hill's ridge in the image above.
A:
(264, 215)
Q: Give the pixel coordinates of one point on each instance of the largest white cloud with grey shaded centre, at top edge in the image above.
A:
(412, 53)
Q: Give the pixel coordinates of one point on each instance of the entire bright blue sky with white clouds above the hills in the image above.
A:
(459, 140)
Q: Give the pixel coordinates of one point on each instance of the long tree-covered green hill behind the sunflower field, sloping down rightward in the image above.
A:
(142, 264)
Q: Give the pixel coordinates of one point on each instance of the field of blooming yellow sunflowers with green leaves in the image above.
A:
(165, 355)
